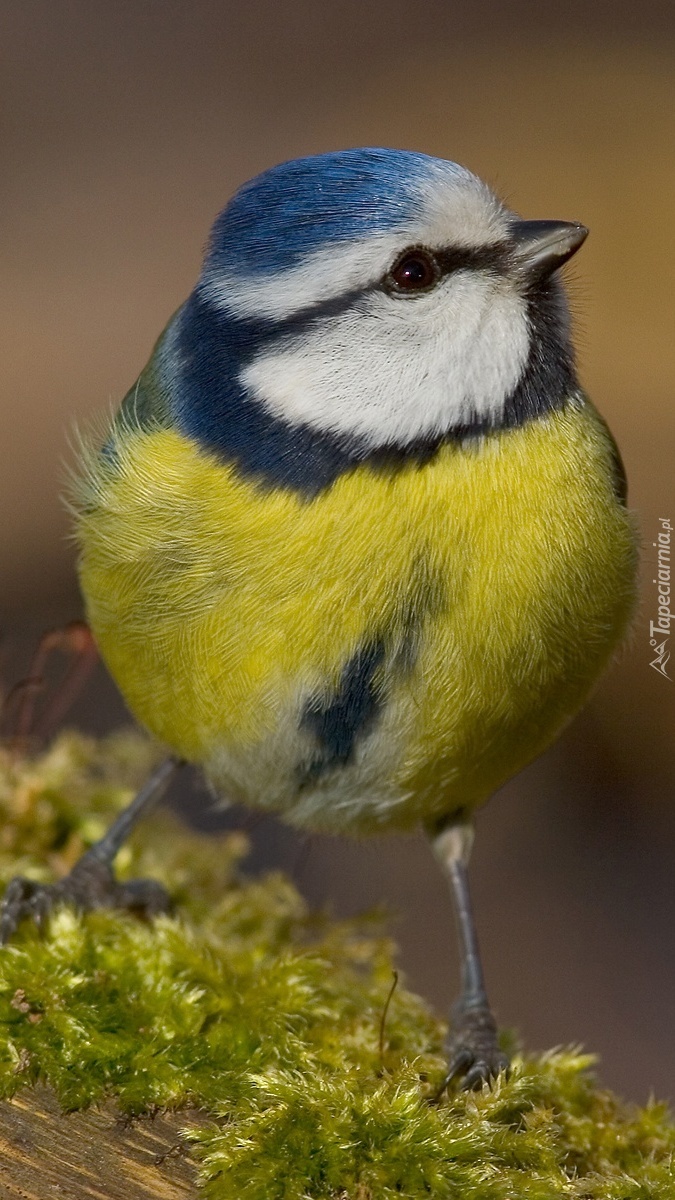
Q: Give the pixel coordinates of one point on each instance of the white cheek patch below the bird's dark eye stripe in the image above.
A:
(393, 370)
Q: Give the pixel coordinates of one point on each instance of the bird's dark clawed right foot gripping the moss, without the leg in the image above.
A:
(474, 1051)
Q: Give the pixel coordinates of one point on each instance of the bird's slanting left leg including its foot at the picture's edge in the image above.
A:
(92, 883)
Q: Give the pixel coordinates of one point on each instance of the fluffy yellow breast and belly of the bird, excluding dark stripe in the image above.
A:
(500, 577)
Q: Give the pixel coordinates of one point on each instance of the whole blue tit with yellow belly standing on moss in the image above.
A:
(357, 542)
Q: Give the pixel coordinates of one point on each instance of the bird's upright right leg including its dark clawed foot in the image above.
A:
(474, 1049)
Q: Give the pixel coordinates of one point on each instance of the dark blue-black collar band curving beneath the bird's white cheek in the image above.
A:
(211, 406)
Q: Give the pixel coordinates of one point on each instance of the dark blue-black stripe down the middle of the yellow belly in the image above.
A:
(338, 721)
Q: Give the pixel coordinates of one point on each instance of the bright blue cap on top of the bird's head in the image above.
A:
(298, 207)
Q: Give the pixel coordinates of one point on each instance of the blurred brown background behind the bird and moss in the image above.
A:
(126, 128)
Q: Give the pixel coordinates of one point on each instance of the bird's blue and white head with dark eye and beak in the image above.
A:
(380, 299)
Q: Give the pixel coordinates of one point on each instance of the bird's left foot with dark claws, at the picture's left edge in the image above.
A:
(91, 885)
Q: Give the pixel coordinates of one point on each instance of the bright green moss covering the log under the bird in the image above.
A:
(270, 1021)
